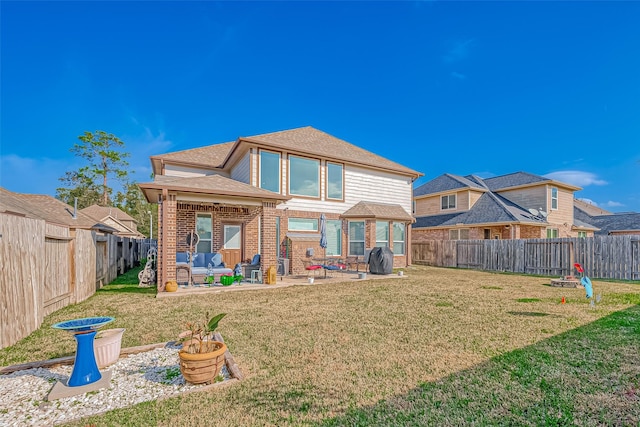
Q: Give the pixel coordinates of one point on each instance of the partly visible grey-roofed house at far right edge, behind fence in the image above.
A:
(608, 223)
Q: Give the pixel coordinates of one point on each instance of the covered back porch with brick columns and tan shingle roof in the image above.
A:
(229, 218)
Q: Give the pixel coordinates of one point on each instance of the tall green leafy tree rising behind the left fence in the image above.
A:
(102, 151)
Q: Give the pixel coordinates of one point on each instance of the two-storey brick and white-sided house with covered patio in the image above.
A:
(266, 193)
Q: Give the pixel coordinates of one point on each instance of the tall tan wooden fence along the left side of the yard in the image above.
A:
(45, 267)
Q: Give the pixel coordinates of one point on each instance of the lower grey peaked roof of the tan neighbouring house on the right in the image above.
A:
(490, 208)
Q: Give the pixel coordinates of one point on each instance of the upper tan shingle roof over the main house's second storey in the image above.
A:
(304, 140)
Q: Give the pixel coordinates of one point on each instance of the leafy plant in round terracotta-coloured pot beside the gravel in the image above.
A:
(201, 356)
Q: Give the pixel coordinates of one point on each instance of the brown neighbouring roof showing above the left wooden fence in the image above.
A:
(49, 209)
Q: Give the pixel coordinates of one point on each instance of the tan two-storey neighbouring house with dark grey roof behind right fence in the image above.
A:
(514, 206)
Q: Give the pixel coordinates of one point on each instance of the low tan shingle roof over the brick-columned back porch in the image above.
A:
(211, 184)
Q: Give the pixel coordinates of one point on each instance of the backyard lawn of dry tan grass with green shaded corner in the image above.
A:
(439, 347)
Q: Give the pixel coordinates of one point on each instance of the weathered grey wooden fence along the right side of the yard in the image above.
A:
(605, 257)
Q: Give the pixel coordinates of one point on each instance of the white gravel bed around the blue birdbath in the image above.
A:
(136, 378)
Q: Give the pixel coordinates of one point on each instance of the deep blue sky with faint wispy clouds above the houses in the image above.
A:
(550, 88)
